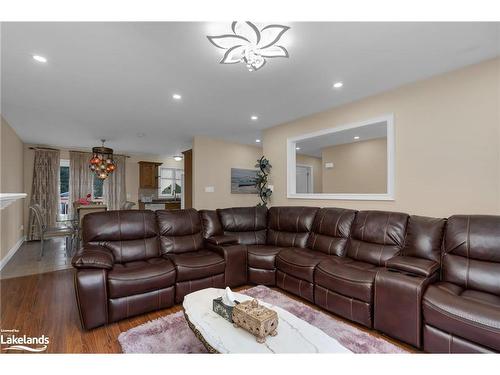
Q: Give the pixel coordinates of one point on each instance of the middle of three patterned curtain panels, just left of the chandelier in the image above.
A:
(80, 177)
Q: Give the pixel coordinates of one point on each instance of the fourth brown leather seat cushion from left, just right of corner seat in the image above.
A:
(299, 262)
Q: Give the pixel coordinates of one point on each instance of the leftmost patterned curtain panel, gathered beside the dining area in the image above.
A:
(45, 189)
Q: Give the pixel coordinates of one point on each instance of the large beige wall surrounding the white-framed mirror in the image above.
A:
(447, 143)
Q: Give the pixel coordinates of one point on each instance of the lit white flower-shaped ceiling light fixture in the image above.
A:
(249, 45)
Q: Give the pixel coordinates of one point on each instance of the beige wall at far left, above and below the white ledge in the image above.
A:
(11, 218)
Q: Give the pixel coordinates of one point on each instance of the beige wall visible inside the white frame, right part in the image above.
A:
(359, 167)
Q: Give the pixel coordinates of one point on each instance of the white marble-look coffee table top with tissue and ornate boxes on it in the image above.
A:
(219, 336)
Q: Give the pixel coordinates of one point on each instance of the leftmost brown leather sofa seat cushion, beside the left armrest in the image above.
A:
(140, 277)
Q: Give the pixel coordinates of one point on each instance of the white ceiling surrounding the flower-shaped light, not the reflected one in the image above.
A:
(115, 80)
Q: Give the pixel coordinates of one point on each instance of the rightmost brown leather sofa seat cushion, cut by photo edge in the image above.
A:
(467, 313)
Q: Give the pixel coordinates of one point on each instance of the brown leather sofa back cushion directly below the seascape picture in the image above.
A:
(247, 224)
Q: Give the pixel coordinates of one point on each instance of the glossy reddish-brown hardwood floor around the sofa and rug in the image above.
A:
(45, 304)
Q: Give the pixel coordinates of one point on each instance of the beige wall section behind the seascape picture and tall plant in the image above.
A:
(212, 163)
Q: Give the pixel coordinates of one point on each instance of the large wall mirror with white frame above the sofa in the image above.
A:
(352, 161)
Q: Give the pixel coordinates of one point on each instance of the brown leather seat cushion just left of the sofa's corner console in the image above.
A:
(197, 264)
